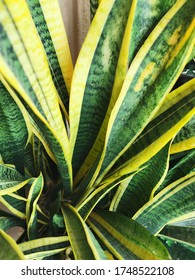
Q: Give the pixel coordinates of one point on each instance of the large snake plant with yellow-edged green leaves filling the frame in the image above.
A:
(97, 159)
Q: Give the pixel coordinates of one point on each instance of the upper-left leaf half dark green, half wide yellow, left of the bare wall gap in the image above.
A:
(49, 24)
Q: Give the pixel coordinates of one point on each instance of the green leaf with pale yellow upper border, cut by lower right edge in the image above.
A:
(175, 200)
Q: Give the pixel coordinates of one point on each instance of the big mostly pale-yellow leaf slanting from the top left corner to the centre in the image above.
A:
(24, 64)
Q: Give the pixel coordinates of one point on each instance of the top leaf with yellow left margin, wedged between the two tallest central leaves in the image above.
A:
(143, 17)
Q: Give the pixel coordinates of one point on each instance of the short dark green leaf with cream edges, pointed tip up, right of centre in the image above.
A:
(134, 193)
